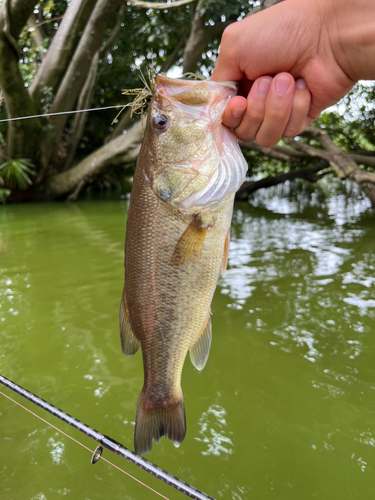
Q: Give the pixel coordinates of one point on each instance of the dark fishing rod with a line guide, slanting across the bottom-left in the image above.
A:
(109, 443)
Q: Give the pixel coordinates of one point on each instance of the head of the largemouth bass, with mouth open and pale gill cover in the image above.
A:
(194, 159)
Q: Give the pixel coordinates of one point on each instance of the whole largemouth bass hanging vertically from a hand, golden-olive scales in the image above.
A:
(177, 241)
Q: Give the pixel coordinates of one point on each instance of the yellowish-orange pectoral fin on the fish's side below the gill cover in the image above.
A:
(191, 243)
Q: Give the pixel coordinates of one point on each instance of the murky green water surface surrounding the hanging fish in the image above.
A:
(285, 408)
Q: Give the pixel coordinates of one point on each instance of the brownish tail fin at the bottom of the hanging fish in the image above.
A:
(153, 423)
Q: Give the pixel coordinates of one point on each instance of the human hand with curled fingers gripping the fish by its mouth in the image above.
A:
(292, 40)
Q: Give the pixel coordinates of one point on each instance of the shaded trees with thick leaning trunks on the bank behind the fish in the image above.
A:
(58, 56)
